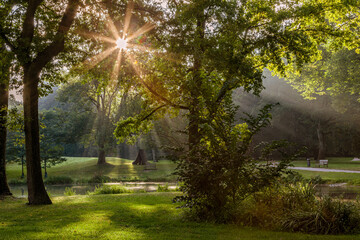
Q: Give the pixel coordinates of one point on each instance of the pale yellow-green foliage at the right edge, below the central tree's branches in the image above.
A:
(336, 74)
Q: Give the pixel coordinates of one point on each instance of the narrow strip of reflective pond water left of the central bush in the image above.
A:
(58, 190)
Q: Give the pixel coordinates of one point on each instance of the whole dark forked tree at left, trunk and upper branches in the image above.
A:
(35, 46)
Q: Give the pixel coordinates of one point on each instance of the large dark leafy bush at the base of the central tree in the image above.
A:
(220, 171)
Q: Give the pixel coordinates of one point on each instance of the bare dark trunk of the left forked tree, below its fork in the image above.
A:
(36, 189)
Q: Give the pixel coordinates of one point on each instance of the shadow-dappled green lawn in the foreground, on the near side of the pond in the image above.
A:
(127, 216)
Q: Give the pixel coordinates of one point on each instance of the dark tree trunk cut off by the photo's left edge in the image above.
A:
(4, 97)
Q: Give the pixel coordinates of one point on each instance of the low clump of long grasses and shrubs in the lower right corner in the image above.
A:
(293, 207)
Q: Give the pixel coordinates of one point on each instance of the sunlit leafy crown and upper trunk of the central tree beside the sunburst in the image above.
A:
(209, 48)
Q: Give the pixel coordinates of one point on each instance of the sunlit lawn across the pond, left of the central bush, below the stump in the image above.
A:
(85, 168)
